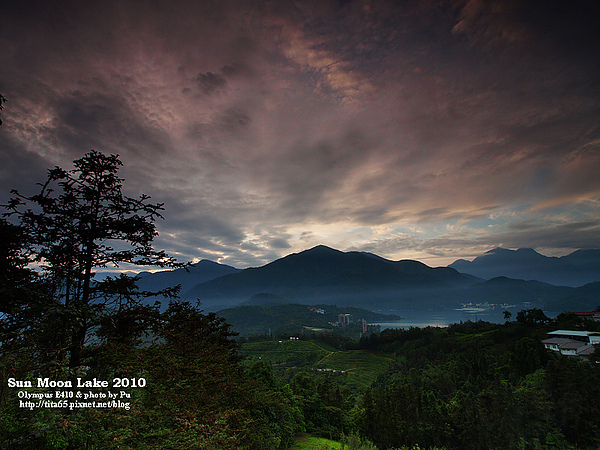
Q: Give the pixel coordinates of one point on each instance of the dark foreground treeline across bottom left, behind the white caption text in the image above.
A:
(196, 395)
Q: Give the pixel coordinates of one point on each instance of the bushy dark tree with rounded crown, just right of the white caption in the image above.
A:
(198, 394)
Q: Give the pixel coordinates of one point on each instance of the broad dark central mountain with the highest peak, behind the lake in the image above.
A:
(322, 273)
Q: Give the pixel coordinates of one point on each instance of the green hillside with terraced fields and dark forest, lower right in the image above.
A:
(473, 385)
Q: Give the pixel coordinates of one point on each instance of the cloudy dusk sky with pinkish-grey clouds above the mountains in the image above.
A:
(419, 129)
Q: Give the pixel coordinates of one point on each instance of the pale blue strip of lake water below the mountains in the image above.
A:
(443, 318)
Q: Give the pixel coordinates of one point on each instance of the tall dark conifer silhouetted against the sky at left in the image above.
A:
(81, 221)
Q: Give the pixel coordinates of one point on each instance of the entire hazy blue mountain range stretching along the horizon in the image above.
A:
(328, 276)
